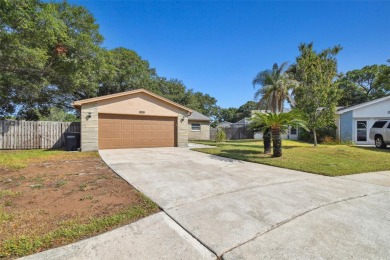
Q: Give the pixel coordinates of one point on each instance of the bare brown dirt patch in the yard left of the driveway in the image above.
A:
(55, 191)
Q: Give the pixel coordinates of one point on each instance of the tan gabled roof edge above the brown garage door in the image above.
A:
(79, 103)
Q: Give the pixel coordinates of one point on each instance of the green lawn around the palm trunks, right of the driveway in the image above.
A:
(330, 160)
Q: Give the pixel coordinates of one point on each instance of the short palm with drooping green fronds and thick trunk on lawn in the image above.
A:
(278, 123)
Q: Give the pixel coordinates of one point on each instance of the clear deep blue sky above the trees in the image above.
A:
(218, 47)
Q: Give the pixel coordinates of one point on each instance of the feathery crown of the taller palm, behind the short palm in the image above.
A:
(275, 87)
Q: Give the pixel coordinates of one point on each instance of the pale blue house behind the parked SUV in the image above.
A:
(354, 123)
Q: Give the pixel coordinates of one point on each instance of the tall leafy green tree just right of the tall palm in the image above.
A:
(317, 95)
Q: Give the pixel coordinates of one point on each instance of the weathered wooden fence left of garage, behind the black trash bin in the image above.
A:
(34, 134)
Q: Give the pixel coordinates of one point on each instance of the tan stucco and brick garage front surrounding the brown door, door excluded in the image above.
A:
(137, 103)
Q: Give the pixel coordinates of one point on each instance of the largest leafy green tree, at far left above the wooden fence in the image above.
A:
(48, 51)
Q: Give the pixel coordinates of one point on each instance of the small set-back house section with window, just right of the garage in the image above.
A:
(198, 126)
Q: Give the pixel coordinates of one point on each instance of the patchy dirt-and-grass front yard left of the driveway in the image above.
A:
(52, 198)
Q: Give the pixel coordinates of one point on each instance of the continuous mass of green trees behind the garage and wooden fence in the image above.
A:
(51, 55)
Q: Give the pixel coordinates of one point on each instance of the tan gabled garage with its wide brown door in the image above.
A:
(132, 119)
